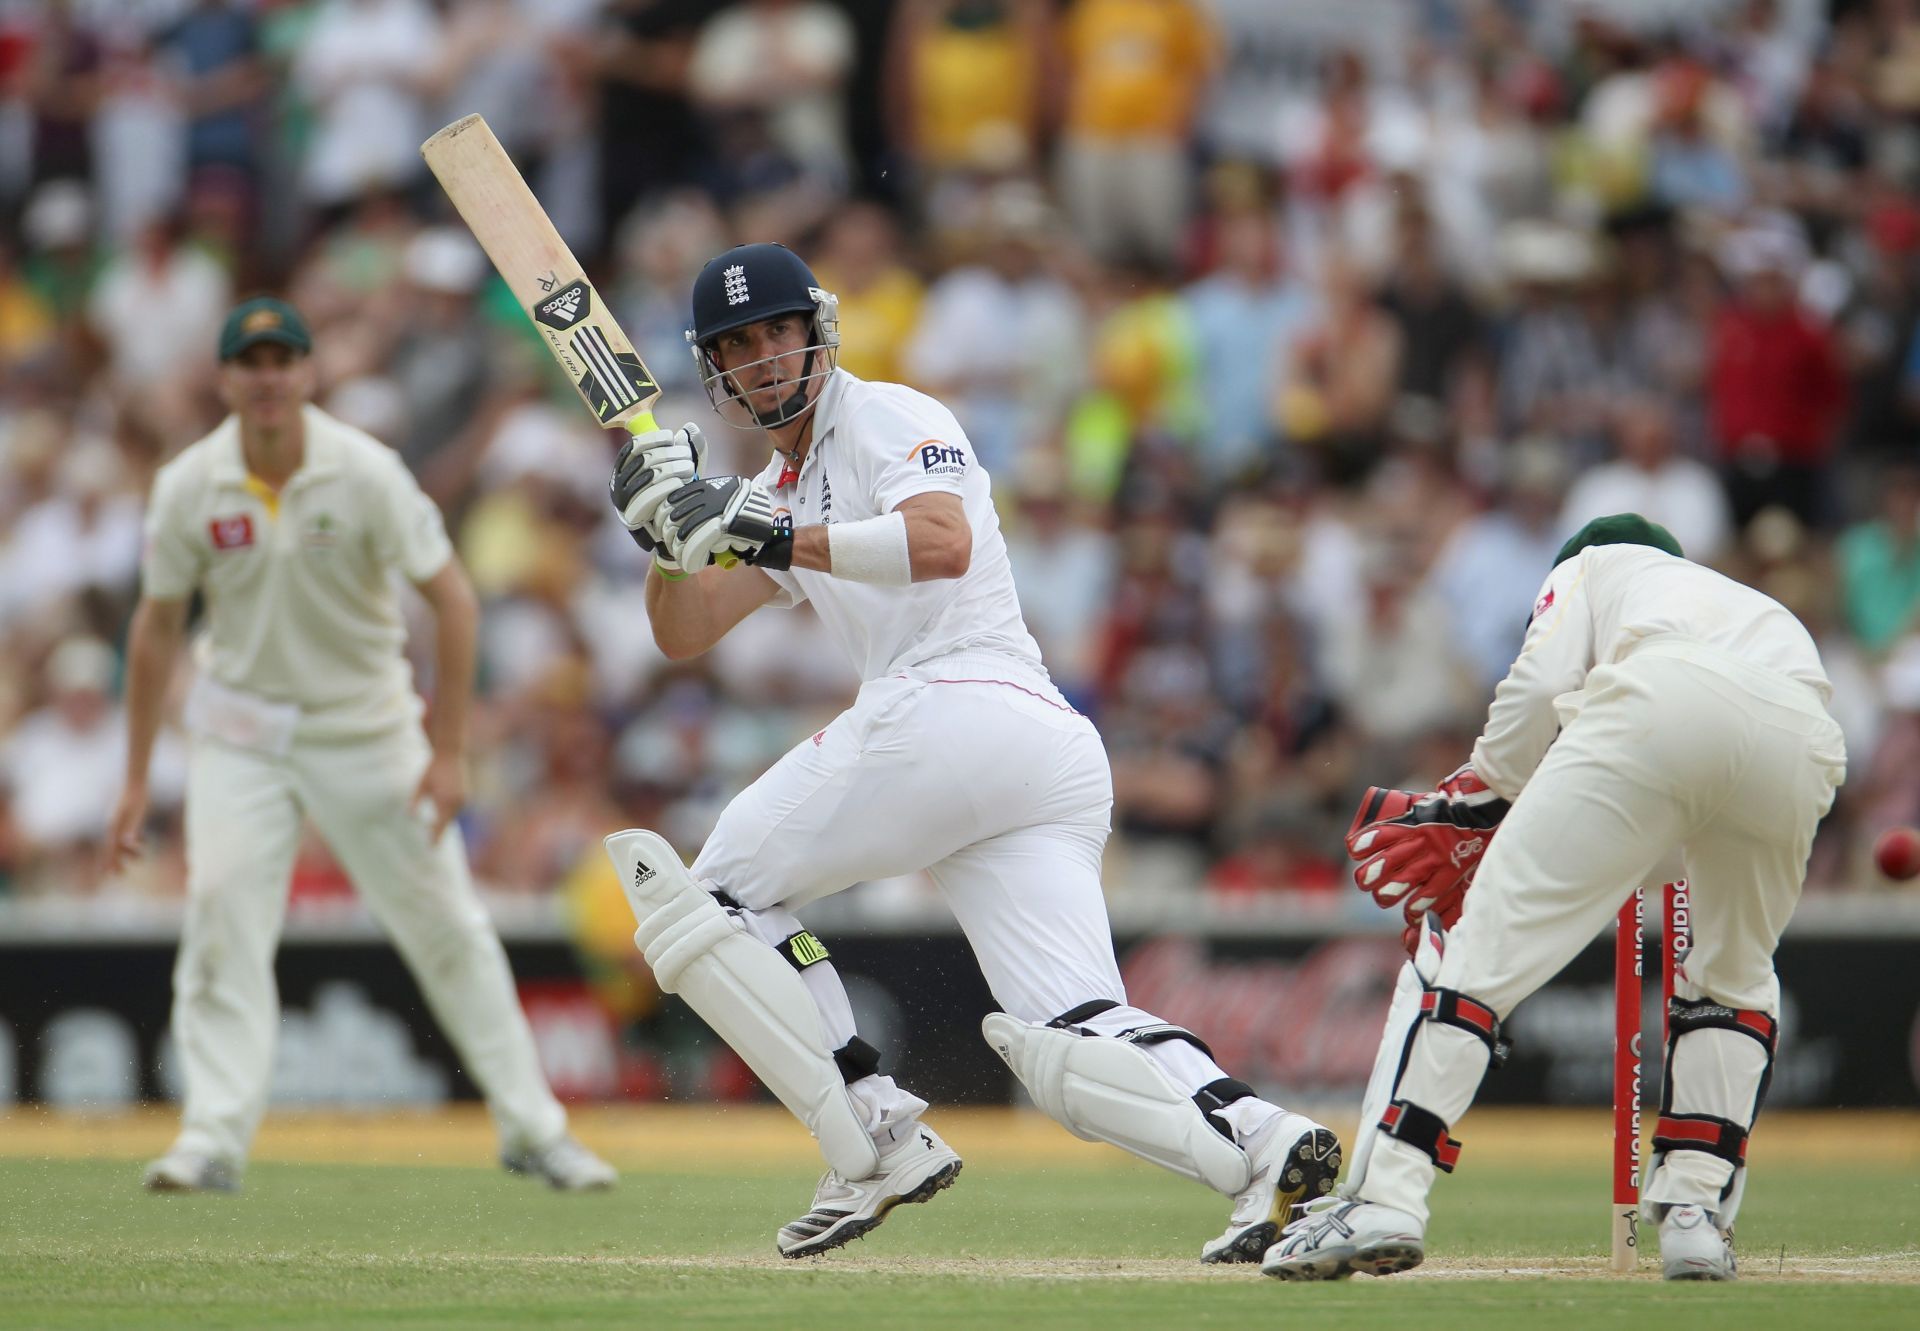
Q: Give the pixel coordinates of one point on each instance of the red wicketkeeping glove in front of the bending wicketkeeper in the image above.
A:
(1420, 852)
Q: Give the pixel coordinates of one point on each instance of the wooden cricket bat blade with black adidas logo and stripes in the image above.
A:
(544, 278)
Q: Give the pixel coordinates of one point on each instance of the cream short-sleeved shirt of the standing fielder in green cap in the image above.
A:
(300, 600)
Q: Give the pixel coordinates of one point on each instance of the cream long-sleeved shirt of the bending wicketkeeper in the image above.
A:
(1593, 612)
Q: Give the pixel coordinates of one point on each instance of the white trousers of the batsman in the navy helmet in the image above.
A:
(982, 777)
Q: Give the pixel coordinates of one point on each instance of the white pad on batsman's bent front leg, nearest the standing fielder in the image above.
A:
(746, 990)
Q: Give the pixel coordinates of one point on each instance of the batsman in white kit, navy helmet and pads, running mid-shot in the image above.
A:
(957, 758)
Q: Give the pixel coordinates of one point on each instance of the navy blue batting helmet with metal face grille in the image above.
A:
(748, 285)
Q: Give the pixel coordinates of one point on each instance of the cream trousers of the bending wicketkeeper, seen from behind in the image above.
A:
(1685, 748)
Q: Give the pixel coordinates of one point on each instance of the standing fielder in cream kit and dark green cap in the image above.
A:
(291, 525)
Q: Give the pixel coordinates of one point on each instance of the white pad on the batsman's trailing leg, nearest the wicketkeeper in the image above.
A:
(1109, 1088)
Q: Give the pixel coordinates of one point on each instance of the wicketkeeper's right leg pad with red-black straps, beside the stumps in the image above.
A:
(1719, 1063)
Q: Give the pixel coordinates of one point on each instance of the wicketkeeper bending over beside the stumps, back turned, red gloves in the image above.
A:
(1656, 708)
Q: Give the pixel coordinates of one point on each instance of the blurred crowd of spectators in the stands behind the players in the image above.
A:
(1295, 337)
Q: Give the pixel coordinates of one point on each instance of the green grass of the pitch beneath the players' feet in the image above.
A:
(325, 1246)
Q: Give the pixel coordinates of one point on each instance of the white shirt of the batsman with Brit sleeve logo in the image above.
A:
(876, 447)
